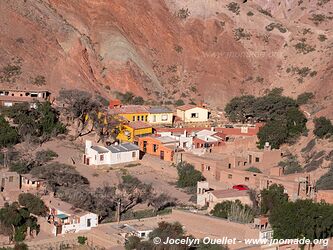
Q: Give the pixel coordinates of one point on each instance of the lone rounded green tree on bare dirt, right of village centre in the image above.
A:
(188, 176)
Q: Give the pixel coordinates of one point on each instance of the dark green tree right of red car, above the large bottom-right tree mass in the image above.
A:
(272, 197)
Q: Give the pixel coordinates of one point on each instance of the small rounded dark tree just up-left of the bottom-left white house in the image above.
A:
(33, 203)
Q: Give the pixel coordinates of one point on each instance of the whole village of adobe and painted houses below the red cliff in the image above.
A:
(151, 141)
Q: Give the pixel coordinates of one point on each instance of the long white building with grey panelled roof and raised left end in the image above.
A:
(114, 154)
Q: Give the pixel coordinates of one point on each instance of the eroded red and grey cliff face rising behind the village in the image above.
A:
(169, 49)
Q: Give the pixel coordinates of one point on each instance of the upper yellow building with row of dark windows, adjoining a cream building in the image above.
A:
(131, 113)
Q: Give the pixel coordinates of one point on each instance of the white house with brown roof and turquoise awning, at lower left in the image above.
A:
(66, 219)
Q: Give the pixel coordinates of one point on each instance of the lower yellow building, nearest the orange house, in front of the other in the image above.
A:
(129, 132)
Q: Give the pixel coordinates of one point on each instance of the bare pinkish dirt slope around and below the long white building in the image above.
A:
(150, 169)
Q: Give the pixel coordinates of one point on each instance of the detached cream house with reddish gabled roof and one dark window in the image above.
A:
(192, 113)
